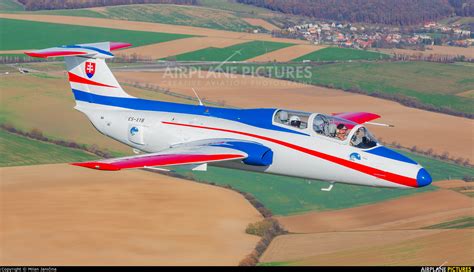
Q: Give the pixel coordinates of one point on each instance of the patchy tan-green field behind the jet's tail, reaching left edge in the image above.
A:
(31, 101)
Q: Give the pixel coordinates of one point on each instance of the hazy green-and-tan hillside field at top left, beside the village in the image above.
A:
(222, 15)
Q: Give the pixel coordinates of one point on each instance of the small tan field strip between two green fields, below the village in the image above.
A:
(287, 53)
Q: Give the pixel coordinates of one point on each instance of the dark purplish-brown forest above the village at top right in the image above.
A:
(400, 12)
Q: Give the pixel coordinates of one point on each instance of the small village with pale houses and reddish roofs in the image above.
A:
(378, 36)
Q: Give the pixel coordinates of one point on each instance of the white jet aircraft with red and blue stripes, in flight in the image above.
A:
(337, 148)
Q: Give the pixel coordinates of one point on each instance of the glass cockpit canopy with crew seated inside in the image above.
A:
(332, 127)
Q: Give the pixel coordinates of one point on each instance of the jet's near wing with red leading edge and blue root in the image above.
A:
(199, 152)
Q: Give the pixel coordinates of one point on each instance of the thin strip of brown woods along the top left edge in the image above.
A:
(74, 4)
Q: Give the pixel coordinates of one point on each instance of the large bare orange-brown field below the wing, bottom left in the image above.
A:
(67, 215)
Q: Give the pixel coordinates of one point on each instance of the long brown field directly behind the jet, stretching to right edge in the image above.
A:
(412, 126)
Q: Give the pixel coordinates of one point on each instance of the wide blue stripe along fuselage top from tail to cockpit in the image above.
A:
(261, 118)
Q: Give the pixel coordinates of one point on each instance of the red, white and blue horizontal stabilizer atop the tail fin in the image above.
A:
(100, 50)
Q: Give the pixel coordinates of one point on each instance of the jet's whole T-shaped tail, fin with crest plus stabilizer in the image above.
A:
(88, 73)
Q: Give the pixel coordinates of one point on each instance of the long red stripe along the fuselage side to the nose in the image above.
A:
(349, 164)
